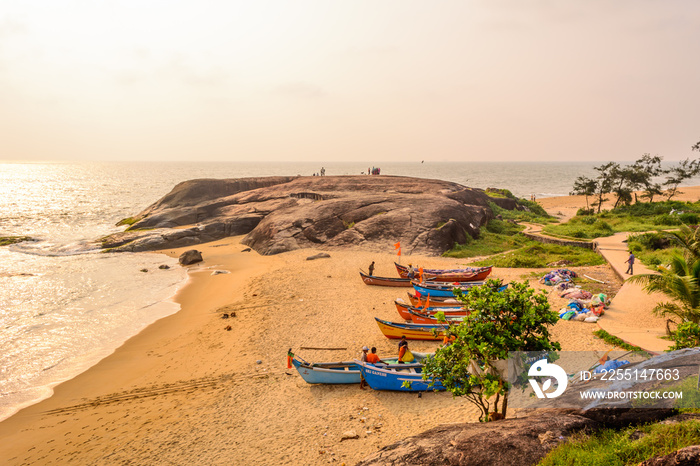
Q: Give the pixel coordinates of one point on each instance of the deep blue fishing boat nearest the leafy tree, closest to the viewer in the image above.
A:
(393, 377)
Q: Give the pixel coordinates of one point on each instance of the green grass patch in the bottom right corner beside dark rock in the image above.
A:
(612, 448)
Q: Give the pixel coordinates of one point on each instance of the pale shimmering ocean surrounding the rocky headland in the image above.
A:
(64, 305)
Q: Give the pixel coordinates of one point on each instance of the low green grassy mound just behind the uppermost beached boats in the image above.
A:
(538, 255)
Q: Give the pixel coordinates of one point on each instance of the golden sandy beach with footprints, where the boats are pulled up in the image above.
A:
(187, 390)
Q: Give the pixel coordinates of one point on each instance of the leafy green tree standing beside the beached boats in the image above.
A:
(515, 319)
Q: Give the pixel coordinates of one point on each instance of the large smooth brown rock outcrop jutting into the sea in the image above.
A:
(281, 214)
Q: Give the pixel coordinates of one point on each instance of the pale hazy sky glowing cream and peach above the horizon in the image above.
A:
(349, 80)
